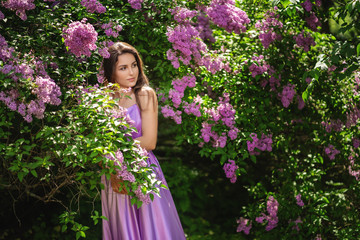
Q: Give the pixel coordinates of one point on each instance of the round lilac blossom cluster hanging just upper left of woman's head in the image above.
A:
(80, 38)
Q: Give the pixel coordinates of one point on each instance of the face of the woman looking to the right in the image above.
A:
(126, 71)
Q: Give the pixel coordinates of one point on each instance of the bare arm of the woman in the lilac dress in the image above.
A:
(149, 118)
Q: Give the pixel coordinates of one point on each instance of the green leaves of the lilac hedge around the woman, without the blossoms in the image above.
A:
(59, 155)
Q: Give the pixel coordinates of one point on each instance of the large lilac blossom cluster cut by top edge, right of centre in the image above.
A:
(225, 14)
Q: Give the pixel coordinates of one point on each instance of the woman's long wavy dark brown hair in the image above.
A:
(109, 64)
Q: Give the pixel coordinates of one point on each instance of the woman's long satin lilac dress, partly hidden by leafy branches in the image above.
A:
(157, 220)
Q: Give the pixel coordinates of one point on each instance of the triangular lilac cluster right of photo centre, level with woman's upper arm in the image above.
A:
(224, 113)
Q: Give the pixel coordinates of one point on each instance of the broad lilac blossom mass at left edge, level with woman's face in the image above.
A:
(43, 87)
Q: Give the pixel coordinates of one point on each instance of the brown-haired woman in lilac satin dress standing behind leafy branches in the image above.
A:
(157, 220)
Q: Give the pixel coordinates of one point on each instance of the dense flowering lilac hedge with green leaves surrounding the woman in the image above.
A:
(266, 90)
